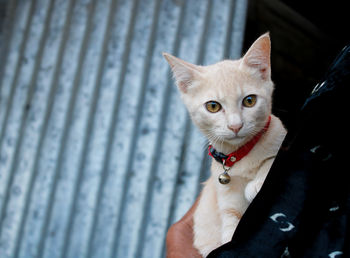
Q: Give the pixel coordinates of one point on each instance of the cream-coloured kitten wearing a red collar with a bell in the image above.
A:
(230, 102)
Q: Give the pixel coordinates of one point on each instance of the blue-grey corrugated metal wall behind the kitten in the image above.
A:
(97, 153)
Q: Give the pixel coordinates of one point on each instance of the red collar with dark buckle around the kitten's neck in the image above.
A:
(230, 159)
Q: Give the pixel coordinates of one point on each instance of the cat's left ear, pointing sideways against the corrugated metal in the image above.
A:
(184, 73)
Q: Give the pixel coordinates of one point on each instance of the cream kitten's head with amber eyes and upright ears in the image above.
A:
(229, 101)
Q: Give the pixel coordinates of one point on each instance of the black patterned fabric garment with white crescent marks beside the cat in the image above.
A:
(303, 208)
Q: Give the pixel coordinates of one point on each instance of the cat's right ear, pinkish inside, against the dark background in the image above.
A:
(258, 57)
